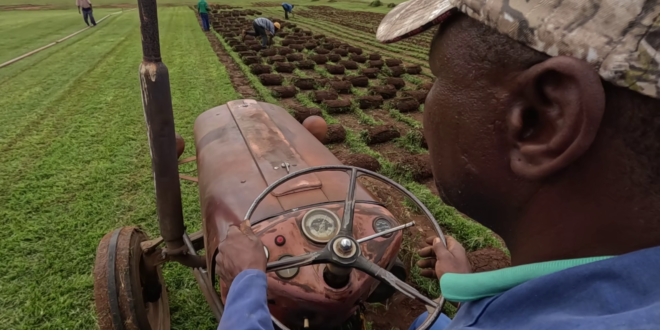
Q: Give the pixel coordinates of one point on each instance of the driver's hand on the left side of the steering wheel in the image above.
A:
(240, 250)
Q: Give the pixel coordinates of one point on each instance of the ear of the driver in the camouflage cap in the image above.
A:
(558, 107)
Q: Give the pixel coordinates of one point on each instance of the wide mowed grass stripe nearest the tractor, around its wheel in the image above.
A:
(94, 176)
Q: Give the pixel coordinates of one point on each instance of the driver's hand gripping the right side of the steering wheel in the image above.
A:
(441, 259)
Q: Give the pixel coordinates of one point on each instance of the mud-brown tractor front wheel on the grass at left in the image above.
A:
(129, 294)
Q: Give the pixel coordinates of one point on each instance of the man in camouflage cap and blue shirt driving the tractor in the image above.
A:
(543, 125)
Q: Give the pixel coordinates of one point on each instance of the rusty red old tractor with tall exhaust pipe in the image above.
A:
(330, 244)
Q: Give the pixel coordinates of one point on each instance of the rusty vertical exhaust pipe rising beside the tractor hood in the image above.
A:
(158, 115)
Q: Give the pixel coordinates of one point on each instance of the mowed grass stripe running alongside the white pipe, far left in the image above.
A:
(33, 115)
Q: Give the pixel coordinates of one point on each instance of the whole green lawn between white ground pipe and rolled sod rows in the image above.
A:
(76, 165)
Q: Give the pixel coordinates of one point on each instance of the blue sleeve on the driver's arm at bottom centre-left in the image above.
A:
(246, 306)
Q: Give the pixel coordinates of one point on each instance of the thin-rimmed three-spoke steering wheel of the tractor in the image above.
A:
(344, 250)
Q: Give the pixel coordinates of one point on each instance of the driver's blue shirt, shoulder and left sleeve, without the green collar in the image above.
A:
(617, 293)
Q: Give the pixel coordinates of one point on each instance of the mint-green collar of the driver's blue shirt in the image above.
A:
(469, 287)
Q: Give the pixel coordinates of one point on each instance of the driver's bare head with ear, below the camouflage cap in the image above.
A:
(504, 121)
